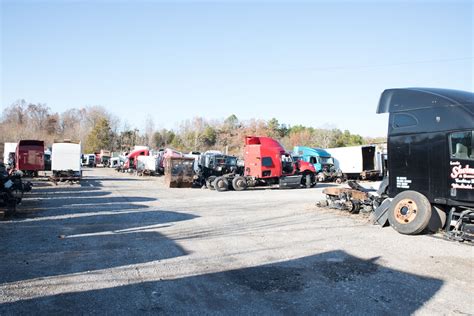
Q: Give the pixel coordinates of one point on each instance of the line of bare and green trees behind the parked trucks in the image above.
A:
(96, 128)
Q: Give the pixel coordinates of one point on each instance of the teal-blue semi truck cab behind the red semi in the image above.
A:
(322, 161)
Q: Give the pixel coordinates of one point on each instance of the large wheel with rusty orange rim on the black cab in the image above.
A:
(409, 213)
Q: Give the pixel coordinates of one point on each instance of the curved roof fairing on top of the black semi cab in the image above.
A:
(408, 99)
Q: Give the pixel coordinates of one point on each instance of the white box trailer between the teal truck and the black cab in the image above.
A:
(365, 162)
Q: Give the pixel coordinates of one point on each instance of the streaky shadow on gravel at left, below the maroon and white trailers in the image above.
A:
(63, 230)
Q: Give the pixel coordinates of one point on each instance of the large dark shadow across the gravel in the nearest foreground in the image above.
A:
(327, 283)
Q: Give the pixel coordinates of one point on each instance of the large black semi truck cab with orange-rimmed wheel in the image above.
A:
(430, 160)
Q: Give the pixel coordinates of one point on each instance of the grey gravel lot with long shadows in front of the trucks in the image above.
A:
(121, 244)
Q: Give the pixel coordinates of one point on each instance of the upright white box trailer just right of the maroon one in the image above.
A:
(66, 161)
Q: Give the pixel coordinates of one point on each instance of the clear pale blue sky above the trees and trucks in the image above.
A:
(313, 63)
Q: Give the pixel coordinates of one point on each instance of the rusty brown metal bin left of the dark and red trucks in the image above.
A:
(179, 172)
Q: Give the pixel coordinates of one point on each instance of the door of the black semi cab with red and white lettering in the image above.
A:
(461, 166)
